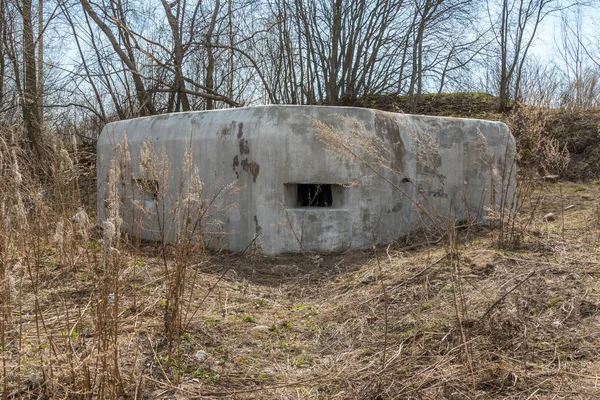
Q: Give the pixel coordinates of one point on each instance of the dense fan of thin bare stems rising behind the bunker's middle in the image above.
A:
(328, 52)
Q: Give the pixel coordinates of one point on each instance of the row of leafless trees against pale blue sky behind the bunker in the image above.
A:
(143, 57)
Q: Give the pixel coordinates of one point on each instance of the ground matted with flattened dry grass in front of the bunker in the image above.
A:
(404, 322)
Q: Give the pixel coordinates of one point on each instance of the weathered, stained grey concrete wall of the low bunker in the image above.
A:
(438, 169)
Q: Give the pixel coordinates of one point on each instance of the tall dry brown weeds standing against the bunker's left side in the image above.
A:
(182, 218)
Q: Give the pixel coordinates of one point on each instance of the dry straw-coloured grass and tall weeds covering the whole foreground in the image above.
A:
(88, 313)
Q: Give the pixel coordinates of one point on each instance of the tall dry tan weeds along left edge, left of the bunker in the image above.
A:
(42, 229)
